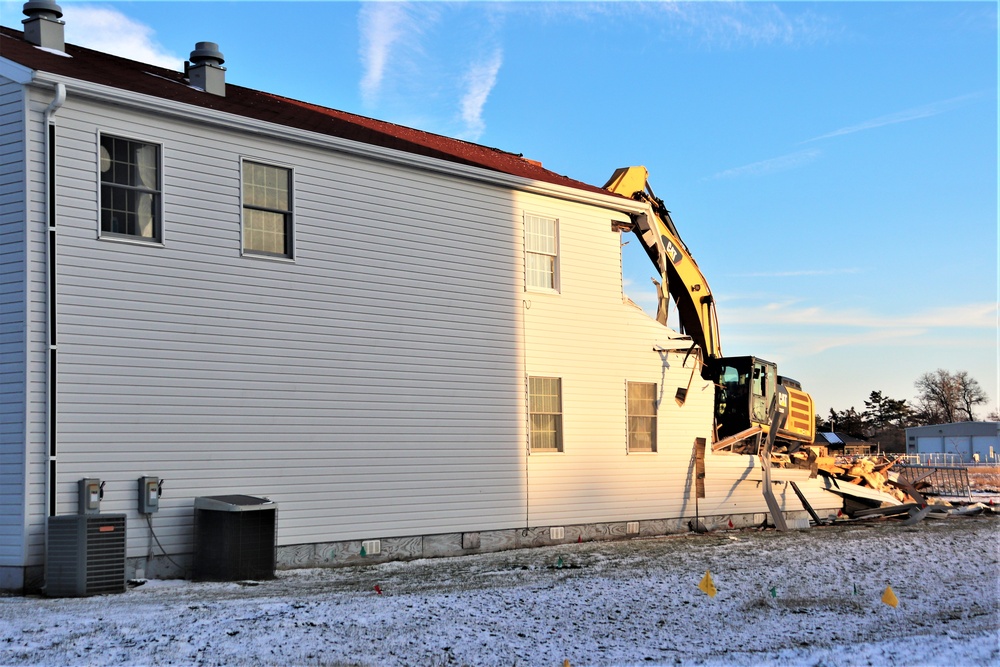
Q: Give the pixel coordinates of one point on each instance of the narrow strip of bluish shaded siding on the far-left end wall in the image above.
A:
(13, 328)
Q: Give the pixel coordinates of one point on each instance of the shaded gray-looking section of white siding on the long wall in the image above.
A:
(382, 365)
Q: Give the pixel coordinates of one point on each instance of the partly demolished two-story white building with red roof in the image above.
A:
(392, 334)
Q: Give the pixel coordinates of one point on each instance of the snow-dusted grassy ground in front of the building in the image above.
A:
(801, 598)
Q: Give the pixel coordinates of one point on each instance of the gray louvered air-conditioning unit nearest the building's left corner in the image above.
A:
(85, 555)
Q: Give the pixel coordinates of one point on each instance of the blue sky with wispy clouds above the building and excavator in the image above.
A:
(832, 166)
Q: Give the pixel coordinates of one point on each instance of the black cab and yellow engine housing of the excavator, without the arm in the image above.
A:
(746, 387)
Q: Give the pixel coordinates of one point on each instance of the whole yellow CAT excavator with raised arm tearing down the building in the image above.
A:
(748, 389)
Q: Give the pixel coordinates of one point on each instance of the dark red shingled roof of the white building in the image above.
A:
(108, 70)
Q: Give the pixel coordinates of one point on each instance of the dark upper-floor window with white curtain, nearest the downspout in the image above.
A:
(130, 188)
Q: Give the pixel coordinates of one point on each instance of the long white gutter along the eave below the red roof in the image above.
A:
(182, 111)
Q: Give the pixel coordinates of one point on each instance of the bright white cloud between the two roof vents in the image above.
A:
(111, 31)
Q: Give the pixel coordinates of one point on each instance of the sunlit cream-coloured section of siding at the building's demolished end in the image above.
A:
(596, 342)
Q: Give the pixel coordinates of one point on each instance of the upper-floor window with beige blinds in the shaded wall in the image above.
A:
(267, 209)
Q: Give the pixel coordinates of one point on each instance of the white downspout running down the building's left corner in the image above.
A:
(50, 330)
